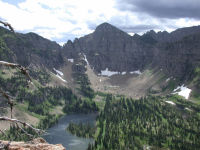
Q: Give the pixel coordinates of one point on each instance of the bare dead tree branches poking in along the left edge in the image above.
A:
(10, 100)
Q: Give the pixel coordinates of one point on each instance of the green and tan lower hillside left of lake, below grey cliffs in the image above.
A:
(38, 101)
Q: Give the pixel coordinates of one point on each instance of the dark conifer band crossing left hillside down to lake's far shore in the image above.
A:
(43, 99)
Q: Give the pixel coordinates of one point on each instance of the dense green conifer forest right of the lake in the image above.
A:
(130, 124)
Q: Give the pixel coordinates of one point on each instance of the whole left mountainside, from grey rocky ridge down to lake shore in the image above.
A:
(49, 96)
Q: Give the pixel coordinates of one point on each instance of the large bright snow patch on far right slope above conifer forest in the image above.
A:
(182, 91)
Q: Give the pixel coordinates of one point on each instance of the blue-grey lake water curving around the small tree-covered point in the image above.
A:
(58, 134)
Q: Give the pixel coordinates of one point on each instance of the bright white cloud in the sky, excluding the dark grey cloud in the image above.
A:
(61, 20)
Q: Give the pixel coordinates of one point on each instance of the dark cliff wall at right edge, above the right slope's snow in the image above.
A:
(179, 58)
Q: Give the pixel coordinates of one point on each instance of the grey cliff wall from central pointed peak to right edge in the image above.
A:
(177, 53)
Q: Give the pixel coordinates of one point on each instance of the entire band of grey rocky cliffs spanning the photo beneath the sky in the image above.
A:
(177, 53)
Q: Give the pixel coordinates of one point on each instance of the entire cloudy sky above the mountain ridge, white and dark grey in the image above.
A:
(60, 20)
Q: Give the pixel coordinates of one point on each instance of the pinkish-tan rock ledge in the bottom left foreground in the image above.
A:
(36, 144)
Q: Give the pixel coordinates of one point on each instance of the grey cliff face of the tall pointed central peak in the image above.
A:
(109, 47)
